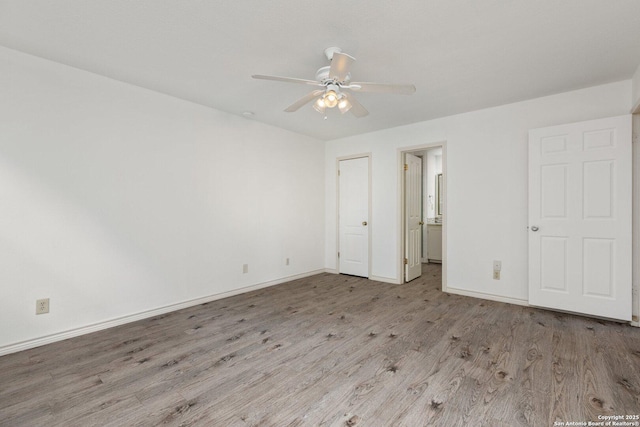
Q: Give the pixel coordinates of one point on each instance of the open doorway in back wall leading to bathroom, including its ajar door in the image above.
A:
(423, 210)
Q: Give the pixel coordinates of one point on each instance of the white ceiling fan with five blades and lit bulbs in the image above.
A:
(335, 83)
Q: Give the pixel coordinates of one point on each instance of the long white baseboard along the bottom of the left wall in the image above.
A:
(37, 342)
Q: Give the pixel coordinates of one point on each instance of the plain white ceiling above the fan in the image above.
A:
(462, 55)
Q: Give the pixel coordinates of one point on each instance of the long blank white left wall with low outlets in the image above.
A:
(117, 200)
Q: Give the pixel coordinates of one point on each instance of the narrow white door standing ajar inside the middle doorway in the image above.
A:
(413, 216)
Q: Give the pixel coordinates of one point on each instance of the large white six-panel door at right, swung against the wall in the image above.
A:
(580, 217)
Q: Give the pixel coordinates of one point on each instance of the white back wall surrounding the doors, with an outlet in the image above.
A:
(486, 185)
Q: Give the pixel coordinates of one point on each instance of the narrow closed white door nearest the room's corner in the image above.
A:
(354, 216)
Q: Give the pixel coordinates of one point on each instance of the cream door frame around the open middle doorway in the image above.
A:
(401, 207)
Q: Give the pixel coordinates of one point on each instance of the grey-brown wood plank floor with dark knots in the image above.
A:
(332, 350)
